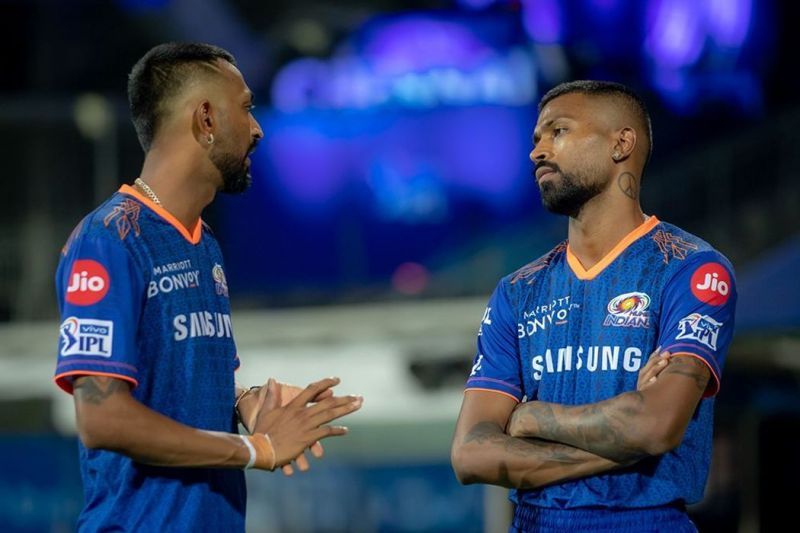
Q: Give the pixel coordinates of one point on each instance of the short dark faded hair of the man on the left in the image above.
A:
(161, 74)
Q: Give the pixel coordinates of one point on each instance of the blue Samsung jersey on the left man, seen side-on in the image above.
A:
(146, 301)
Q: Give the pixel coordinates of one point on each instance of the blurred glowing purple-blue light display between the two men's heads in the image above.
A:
(413, 62)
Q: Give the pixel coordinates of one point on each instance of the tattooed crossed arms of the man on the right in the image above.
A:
(534, 444)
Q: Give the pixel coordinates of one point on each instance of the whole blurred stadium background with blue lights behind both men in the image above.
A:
(391, 192)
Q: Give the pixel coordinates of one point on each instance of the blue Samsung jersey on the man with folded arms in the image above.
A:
(558, 333)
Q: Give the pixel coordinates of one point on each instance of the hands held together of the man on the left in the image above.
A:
(295, 419)
